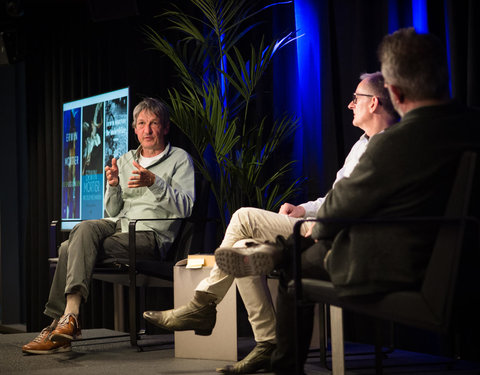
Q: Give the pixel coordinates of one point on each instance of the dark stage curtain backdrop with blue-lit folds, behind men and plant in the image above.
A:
(72, 52)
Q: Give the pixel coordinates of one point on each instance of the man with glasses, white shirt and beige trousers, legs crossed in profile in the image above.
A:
(373, 112)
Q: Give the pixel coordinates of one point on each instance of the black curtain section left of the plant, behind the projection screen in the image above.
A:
(71, 55)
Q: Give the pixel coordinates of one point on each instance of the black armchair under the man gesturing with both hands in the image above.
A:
(135, 273)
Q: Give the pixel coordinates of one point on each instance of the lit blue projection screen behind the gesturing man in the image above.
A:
(95, 130)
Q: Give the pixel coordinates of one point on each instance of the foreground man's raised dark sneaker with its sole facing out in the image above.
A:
(259, 259)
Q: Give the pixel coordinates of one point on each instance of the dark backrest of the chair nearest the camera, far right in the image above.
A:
(439, 283)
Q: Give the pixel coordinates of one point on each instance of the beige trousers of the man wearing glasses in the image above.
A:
(255, 225)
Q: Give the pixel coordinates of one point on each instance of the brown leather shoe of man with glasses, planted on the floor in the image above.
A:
(258, 359)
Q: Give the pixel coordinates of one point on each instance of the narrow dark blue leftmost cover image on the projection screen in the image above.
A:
(71, 164)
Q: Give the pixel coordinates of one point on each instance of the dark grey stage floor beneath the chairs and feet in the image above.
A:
(115, 356)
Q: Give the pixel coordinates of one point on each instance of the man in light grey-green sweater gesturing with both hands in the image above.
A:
(154, 181)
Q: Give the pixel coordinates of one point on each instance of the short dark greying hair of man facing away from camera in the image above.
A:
(415, 63)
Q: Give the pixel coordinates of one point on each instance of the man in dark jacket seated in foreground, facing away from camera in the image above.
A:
(406, 171)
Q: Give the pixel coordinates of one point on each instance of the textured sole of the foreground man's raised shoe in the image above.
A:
(234, 262)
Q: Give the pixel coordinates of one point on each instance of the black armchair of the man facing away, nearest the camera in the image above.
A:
(428, 308)
